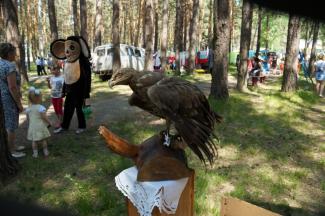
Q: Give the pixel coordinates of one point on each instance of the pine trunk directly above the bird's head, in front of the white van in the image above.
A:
(116, 35)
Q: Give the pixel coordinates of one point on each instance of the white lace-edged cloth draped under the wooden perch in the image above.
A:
(146, 195)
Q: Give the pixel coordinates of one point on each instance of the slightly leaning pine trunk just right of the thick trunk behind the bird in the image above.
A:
(245, 39)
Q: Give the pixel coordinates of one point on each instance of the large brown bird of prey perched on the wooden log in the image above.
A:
(179, 102)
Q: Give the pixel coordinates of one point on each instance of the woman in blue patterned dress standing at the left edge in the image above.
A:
(10, 95)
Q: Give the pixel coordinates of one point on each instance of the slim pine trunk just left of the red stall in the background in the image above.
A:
(192, 34)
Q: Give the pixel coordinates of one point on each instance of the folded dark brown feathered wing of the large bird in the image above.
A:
(184, 104)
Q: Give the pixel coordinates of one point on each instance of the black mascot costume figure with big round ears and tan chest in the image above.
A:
(77, 78)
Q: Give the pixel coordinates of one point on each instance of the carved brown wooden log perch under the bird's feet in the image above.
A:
(155, 162)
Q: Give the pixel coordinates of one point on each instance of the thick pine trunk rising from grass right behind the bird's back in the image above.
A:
(219, 85)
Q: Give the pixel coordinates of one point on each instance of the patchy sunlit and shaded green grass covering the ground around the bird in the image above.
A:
(271, 153)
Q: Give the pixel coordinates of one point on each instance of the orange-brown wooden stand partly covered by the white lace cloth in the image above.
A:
(185, 205)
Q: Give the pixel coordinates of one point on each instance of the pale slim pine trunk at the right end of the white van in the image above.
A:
(148, 64)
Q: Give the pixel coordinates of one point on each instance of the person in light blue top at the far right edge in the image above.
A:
(320, 74)
